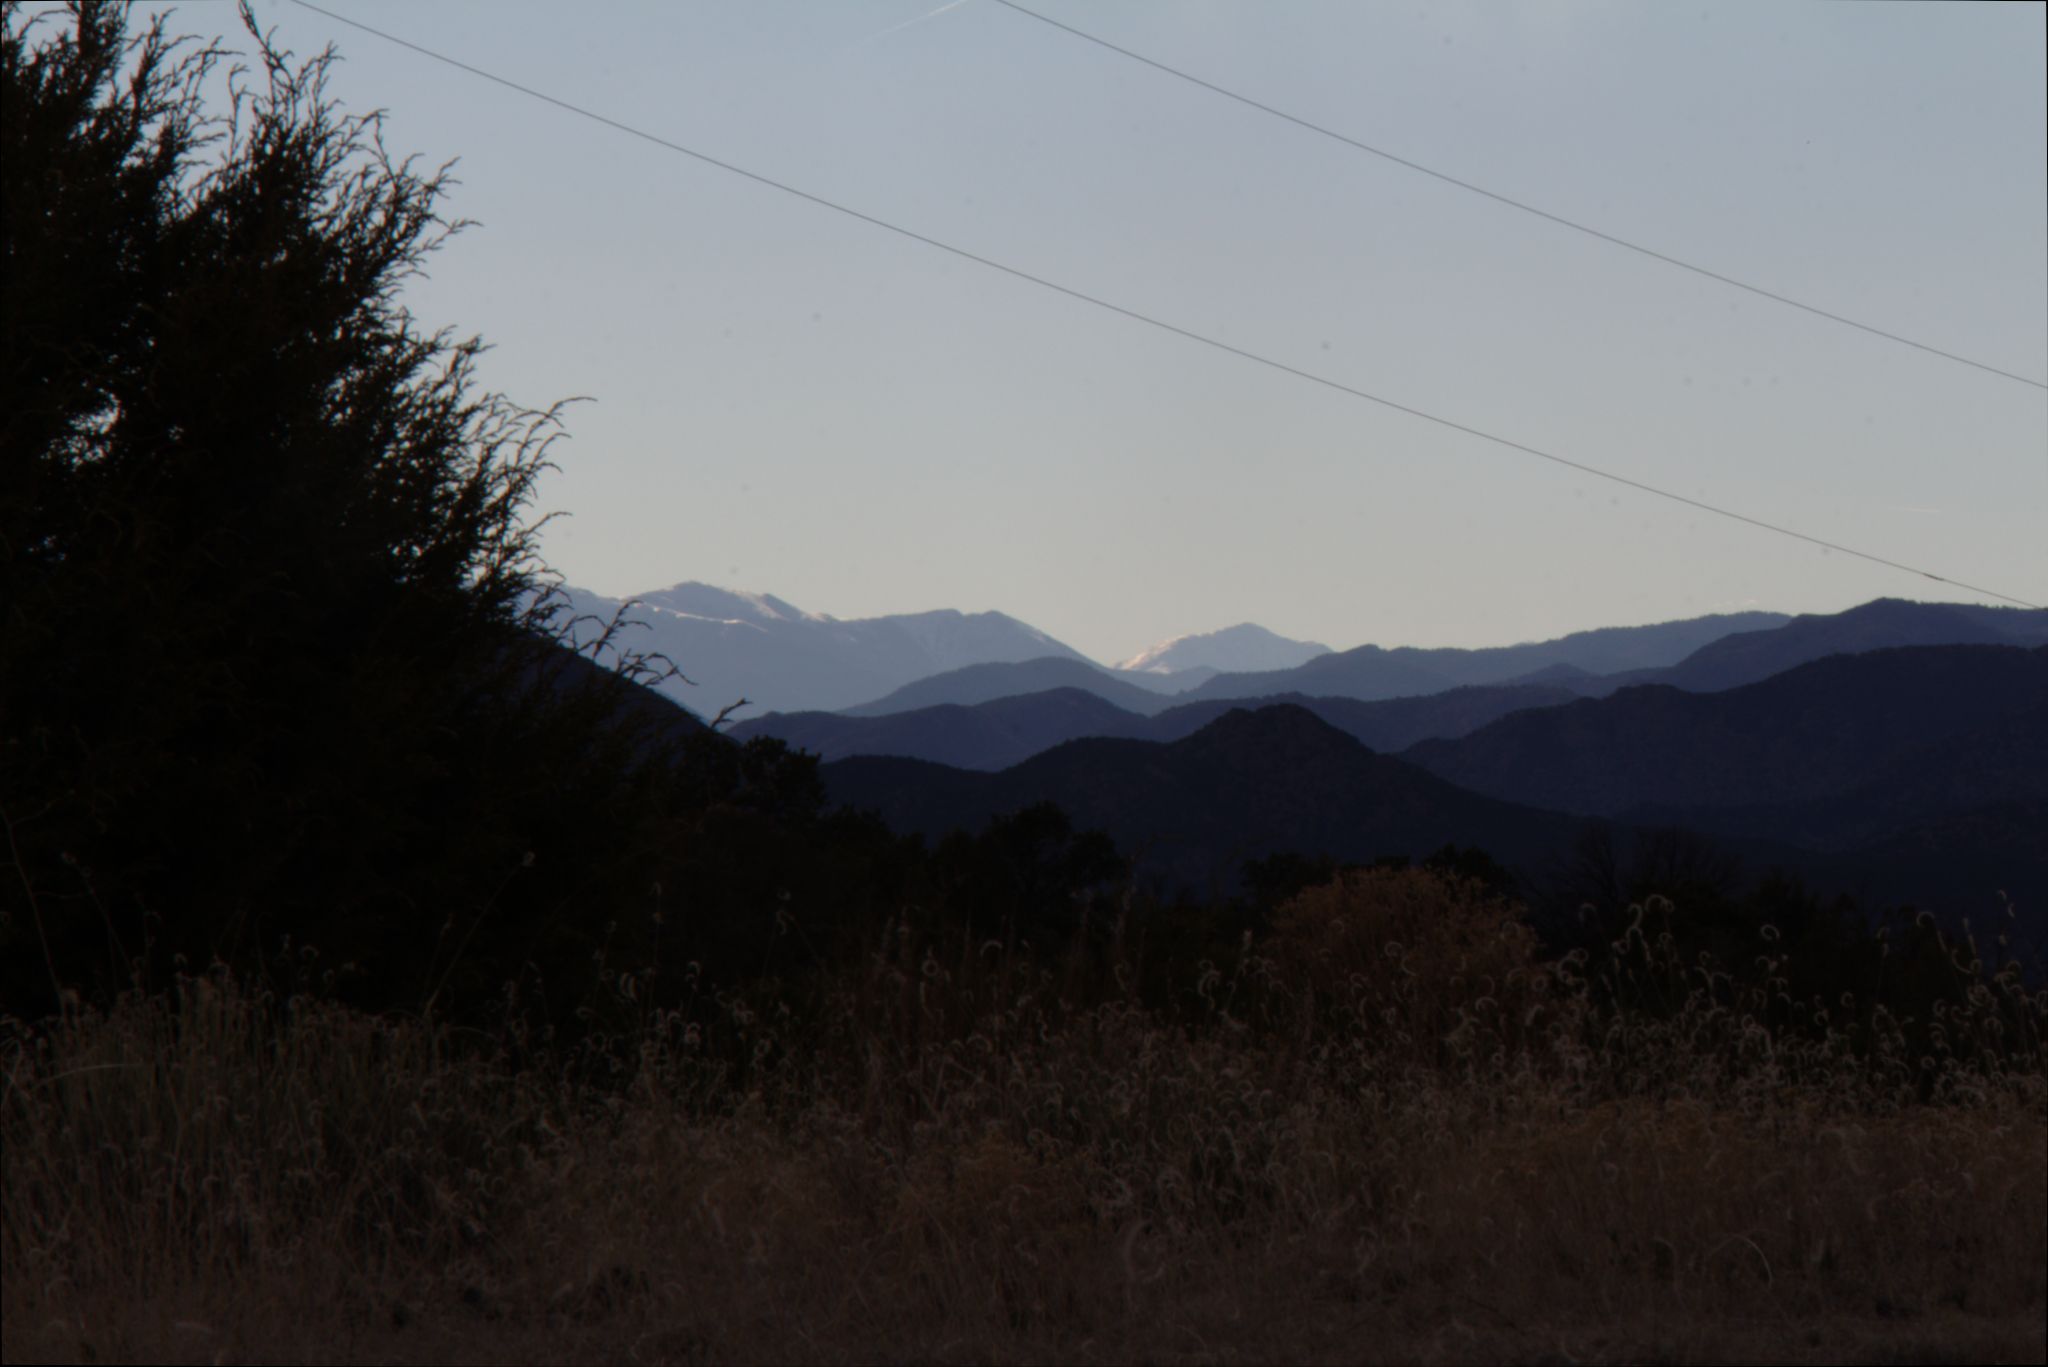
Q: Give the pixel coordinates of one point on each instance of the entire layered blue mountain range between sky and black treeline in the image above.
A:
(1897, 751)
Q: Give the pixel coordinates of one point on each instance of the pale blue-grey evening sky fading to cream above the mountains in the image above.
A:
(790, 401)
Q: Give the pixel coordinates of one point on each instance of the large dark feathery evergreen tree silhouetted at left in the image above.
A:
(275, 663)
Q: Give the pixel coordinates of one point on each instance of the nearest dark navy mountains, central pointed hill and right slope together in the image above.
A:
(1902, 776)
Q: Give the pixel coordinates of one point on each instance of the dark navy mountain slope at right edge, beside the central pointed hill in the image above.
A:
(1820, 753)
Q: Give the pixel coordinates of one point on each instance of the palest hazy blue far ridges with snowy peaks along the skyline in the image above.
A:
(785, 661)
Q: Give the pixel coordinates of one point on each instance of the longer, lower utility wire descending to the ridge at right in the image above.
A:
(1146, 319)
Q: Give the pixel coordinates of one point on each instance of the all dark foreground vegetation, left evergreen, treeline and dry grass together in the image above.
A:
(382, 983)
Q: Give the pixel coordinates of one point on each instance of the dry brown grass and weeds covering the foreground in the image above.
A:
(1390, 1132)
